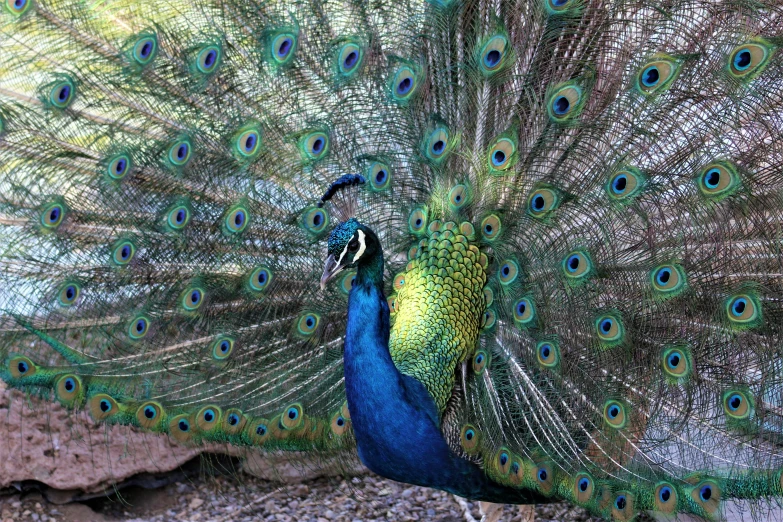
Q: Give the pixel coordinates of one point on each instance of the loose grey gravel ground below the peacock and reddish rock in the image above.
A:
(241, 498)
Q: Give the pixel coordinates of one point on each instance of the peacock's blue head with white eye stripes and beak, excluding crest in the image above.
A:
(350, 244)
